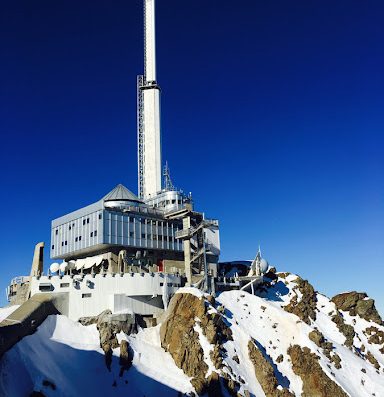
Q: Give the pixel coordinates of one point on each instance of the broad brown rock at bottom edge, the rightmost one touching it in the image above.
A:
(315, 381)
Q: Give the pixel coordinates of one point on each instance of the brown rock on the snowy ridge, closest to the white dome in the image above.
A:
(304, 308)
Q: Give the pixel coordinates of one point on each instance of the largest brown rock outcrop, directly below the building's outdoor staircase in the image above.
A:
(181, 340)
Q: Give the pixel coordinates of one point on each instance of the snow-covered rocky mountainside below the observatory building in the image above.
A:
(64, 358)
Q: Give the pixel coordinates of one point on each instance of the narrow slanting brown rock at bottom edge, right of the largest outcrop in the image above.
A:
(265, 373)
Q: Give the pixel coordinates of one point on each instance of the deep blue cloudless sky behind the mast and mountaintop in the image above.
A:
(272, 115)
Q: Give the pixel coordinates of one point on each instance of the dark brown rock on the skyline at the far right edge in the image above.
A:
(357, 303)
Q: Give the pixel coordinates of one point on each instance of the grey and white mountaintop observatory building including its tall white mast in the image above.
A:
(128, 251)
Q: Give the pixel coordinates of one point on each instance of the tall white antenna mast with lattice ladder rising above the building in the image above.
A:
(148, 113)
